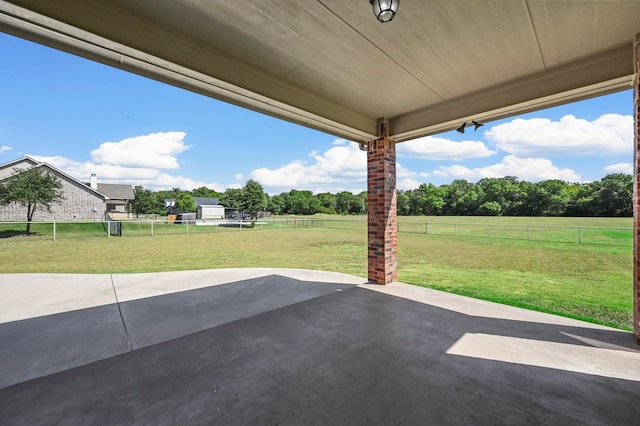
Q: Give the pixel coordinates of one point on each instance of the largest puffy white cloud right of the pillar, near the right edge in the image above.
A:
(610, 134)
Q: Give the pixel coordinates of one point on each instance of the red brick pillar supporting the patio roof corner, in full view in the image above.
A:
(382, 223)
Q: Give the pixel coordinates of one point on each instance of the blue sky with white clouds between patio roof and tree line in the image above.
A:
(83, 117)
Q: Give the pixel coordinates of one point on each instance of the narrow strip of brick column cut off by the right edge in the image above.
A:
(636, 195)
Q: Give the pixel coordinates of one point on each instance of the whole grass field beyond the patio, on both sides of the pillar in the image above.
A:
(586, 281)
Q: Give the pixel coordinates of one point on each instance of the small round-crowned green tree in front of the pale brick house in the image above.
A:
(34, 188)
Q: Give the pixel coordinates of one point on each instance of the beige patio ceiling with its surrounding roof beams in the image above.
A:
(329, 65)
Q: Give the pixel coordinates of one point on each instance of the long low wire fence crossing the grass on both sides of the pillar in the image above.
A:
(148, 227)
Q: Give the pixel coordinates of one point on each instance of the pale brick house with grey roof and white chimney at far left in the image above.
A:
(81, 201)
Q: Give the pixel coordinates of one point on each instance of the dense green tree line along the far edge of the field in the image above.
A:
(507, 196)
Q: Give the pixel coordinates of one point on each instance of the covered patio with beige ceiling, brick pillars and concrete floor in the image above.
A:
(287, 347)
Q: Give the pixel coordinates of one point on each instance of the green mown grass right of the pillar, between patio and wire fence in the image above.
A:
(589, 284)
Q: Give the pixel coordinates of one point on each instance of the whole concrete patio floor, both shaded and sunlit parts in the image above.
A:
(281, 346)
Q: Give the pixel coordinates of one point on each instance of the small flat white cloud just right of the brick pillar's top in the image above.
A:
(433, 148)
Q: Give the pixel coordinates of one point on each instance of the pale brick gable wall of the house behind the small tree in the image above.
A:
(78, 204)
